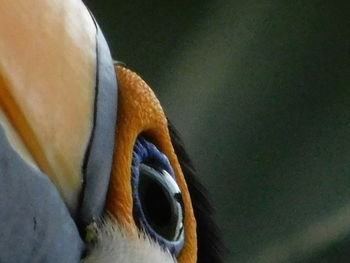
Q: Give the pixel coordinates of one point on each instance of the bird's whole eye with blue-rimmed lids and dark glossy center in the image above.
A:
(158, 207)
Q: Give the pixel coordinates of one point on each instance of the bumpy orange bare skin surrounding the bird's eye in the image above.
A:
(139, 111)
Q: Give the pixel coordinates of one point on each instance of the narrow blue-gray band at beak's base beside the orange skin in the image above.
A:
(99, 157)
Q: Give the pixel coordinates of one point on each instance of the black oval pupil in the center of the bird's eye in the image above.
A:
(157, 206)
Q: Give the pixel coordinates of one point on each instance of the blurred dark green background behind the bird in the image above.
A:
(260, 91)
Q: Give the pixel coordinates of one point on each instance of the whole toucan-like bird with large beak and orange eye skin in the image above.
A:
(91, 169)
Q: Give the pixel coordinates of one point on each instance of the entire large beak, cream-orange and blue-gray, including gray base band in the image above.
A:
(56, 136)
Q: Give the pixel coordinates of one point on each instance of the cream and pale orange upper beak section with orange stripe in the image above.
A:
(47, 86)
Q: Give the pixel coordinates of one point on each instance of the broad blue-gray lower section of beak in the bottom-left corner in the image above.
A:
(35, 225)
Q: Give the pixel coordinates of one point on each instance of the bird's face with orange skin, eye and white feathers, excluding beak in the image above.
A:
(147, 195)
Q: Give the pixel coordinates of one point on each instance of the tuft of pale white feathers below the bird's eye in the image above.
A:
(115, 245)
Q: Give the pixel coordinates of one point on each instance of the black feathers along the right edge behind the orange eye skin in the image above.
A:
(210, 245)
